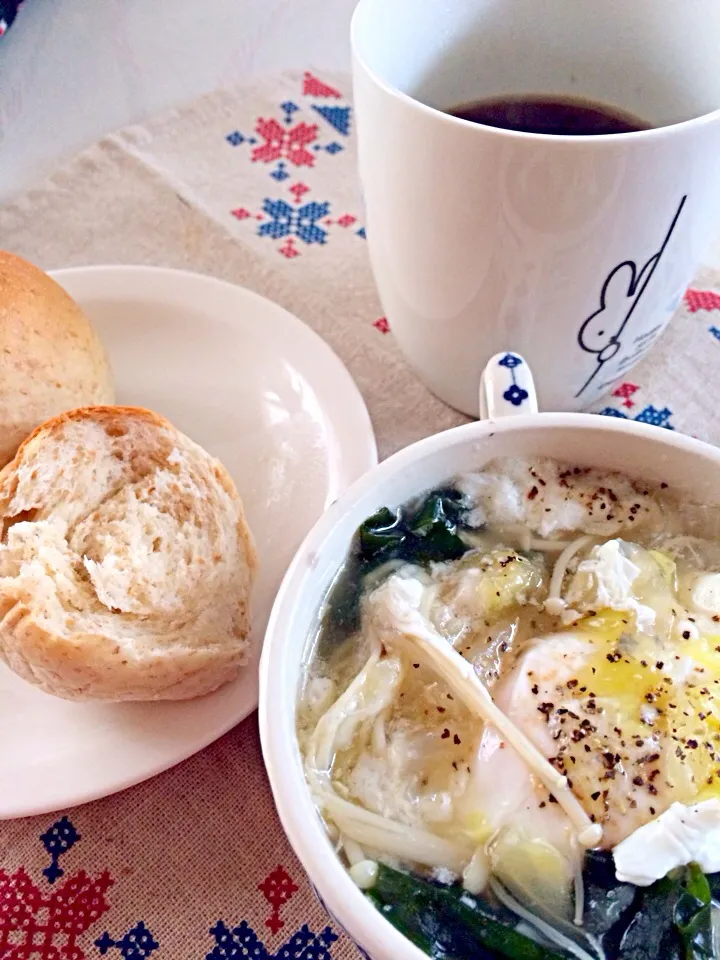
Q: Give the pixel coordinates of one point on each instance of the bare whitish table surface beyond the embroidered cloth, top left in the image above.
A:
(73, 70)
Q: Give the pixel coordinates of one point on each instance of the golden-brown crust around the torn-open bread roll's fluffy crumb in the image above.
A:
(80, 664)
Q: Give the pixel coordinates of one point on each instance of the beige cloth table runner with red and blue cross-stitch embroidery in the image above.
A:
(257, 186)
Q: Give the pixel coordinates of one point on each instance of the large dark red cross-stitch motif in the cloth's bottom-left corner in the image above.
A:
(35, 927)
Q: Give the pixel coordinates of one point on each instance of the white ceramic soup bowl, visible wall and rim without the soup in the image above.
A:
(690, 467)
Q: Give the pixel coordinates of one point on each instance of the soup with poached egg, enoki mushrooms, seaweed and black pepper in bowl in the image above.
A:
(512, 702)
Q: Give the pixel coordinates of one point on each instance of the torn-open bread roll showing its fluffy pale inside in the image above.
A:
(126, 564)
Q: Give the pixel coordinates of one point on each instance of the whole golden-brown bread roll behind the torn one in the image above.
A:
(50, 357)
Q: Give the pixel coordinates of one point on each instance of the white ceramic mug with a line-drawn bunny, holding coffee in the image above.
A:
(574, 250)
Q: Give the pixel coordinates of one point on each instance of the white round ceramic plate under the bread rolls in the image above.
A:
(259, 390)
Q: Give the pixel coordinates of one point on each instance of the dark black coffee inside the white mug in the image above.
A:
(561, 116)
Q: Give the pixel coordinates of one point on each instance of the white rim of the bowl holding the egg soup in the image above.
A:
(299, 818)
